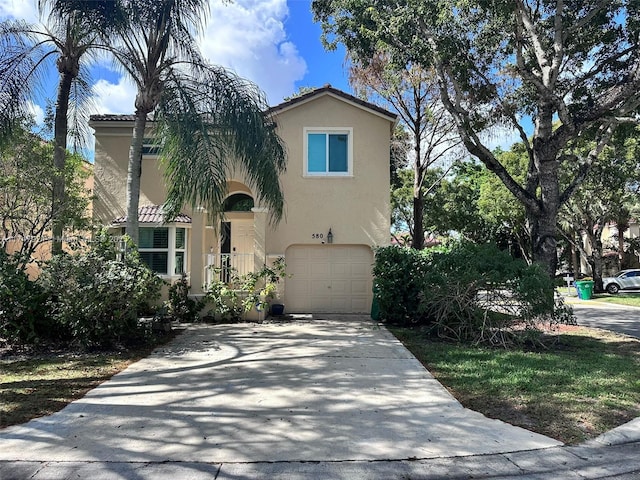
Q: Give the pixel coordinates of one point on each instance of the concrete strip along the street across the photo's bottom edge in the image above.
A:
(620, 462)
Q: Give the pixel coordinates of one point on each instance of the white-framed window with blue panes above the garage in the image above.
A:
(328, 152)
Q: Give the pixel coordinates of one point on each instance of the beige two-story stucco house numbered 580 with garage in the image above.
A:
(337, 207)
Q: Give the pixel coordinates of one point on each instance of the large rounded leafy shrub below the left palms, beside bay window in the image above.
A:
(94, 297)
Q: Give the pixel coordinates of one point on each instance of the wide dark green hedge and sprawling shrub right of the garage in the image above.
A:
(466, 292)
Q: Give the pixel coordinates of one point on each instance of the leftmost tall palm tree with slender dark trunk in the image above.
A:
(66, 38)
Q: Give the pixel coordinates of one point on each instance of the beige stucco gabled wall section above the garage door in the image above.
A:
(356, 208)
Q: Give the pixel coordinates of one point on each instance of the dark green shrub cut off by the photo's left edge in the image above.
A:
(21, 302)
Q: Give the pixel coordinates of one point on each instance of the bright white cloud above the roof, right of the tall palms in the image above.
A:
(248, 37)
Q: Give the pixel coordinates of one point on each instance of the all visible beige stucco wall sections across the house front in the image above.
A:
(356, 208)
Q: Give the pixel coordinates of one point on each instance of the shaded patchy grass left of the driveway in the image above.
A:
(41, 384)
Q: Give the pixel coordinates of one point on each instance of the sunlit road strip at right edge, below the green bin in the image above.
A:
(617, 318)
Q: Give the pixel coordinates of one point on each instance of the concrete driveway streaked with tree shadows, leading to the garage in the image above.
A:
(331, 389)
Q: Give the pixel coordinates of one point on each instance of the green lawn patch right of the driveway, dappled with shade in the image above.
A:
(585, 384)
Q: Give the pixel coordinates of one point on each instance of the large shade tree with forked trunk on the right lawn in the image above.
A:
(569, 66)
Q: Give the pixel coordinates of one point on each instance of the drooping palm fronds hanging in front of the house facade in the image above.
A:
(210, 126)
